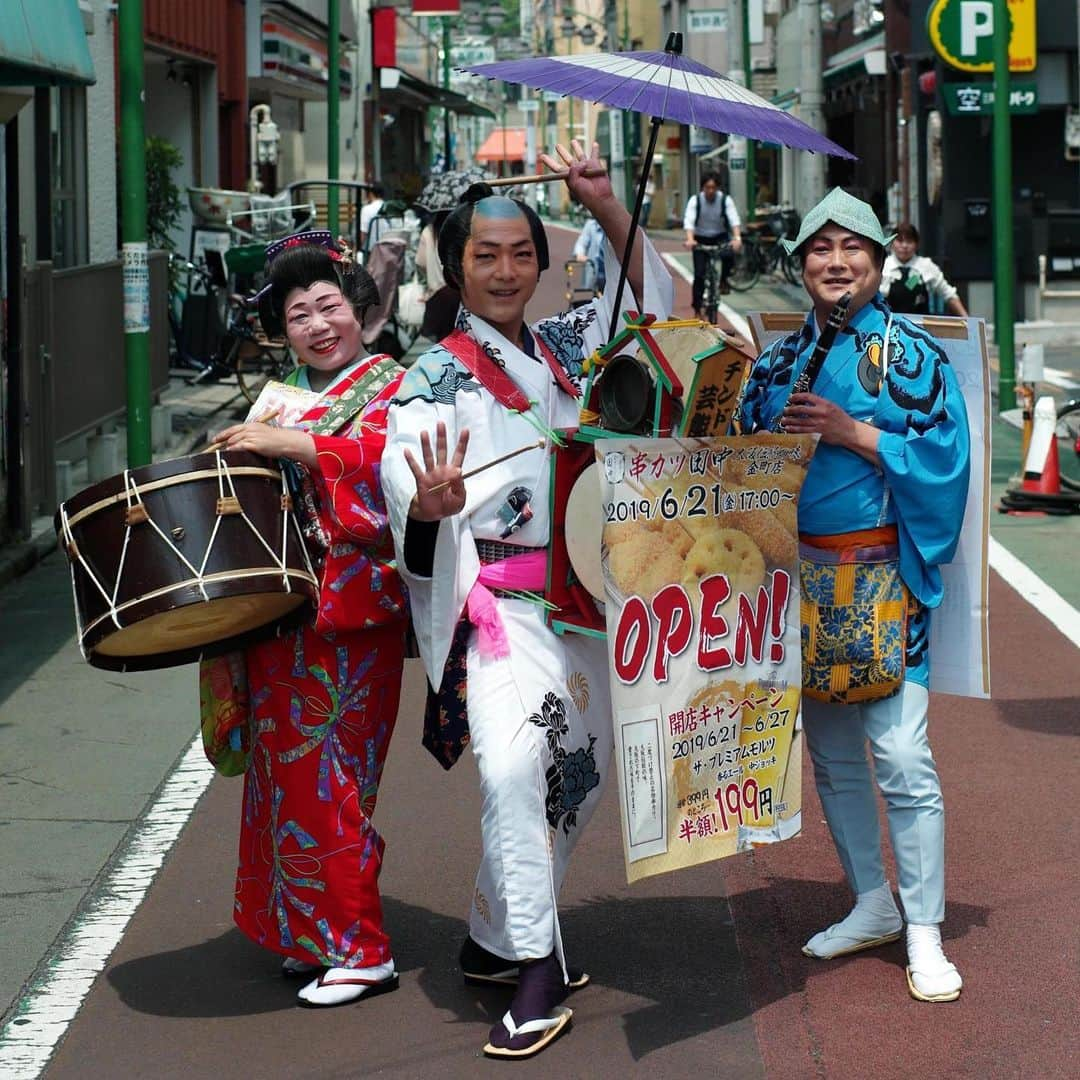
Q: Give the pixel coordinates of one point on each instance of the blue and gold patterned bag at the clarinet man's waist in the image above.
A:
(855, 611)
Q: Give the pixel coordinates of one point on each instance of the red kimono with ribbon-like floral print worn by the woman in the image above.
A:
(325, 700)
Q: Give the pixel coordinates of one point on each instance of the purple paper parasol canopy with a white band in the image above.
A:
(668, 86)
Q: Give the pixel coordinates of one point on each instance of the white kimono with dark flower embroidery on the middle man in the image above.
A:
(539, 720)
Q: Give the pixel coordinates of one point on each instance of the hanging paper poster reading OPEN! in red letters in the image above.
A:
(700, 564)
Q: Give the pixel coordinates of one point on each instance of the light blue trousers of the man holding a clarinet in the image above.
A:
(904, 767)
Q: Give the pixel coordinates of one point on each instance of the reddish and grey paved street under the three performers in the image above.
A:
(696, 973)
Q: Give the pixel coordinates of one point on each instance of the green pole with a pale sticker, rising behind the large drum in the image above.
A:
(137, 267)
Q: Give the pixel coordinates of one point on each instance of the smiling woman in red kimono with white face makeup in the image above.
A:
(325, 698)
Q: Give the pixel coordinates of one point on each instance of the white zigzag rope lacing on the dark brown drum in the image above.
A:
(134, 497)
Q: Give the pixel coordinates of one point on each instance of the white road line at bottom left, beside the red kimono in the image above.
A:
(56, 994)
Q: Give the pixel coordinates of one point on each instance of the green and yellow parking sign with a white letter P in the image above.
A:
(962, 33)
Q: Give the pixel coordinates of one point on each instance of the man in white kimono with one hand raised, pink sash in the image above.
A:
(474, 556)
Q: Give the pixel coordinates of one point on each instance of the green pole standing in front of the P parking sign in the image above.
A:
(1004, 262)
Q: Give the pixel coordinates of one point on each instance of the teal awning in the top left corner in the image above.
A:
(44, 43)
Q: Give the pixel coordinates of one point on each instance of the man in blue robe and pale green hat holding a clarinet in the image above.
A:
(890, 475)
